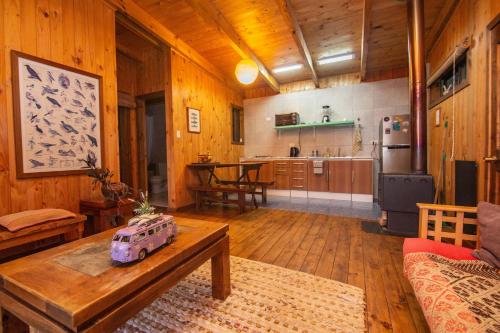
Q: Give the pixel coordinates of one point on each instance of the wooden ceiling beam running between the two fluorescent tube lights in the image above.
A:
(288, 14)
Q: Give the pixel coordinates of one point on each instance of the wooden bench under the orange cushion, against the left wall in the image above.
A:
(71, 229)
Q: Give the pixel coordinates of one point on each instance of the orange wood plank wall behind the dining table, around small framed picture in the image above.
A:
(193, 87)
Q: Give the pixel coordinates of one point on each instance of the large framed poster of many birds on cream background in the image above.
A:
(57, 117)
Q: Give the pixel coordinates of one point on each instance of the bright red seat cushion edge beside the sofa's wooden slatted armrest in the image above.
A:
(413, 245)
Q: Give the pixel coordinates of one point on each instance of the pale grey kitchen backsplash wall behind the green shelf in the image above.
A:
(367, 101)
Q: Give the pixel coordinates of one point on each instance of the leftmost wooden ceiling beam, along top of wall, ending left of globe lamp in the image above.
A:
(138, 15)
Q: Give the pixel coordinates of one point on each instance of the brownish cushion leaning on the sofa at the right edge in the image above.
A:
(488, 217)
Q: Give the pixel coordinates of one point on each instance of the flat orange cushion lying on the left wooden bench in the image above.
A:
(28, 218)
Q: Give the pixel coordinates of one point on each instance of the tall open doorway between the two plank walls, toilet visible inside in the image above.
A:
(140, 60)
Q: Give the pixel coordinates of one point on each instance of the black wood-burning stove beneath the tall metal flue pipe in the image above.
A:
(398, 197)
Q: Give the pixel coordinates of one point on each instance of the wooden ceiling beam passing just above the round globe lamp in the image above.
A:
(214, 17)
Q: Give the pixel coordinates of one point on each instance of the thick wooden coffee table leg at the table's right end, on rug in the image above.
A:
(221, 279)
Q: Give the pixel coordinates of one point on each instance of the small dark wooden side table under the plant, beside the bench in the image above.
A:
(105, 214)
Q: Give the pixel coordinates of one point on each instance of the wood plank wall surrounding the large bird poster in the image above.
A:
(76, 33)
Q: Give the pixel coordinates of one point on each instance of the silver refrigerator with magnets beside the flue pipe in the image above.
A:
(395, 139)
